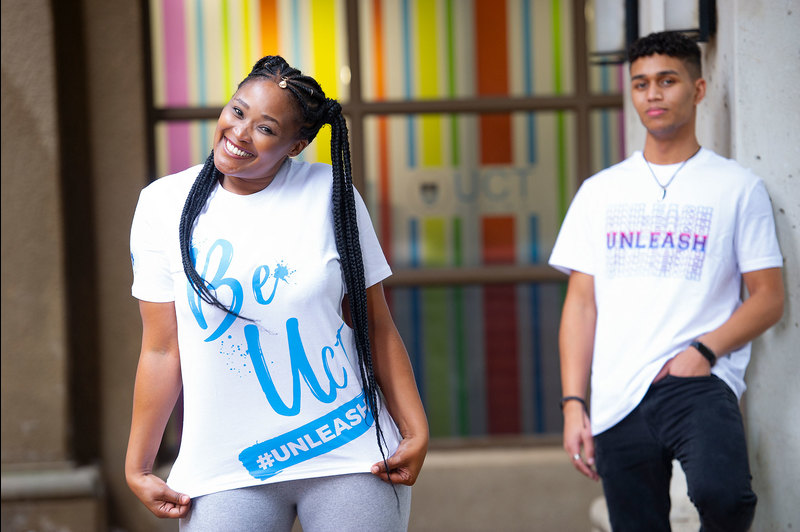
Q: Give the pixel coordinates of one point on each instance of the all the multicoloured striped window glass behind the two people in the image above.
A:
(437, 186)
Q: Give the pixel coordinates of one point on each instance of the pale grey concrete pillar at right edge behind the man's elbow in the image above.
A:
(766, 139)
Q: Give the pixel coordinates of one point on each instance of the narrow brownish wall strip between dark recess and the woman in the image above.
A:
(117, 108)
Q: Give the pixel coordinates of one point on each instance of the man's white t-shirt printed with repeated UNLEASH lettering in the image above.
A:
(665, 271)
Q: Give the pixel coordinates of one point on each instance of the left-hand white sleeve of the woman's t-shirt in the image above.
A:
(151, 272)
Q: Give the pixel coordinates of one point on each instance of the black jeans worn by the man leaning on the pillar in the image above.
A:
(696, 420)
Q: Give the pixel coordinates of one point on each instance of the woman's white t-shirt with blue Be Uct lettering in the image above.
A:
(279, 397)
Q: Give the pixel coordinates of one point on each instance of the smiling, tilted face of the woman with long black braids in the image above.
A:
(256, 131)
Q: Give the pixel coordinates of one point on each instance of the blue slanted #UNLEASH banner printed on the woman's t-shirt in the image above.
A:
(342, 425)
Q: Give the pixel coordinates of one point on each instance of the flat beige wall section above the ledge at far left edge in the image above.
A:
(34, 418)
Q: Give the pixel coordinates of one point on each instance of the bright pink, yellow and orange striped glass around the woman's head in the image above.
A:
(203, 48)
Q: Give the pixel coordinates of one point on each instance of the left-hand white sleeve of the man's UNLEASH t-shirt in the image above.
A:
(573, 250)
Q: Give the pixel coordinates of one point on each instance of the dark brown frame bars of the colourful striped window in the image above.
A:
(581, 102)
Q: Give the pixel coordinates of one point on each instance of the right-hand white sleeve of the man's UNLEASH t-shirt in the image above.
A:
(756, 242)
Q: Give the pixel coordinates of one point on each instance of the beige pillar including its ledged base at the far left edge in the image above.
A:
(41, 487)
